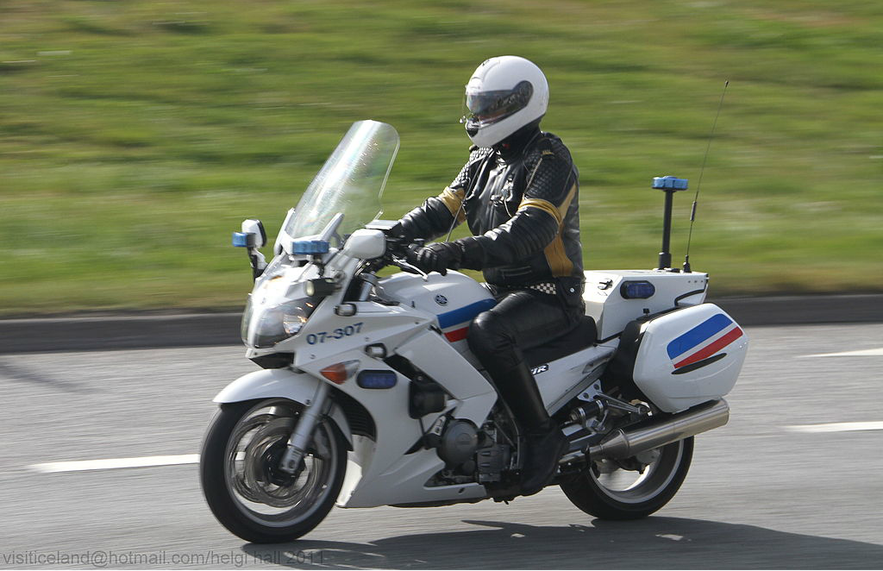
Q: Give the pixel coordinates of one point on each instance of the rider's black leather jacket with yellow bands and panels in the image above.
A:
(521, 202)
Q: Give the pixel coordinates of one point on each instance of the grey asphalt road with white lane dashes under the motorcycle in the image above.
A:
(759, 494)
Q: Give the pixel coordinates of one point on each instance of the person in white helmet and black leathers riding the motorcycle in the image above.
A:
(518, 193)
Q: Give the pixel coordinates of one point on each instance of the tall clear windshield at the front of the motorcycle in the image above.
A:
(350, 182)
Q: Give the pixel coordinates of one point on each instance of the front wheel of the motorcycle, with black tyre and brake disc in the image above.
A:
(241, 479)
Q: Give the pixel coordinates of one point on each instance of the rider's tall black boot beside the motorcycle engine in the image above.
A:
(544, 443)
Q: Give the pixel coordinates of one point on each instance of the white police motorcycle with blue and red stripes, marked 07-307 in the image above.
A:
(368, 393)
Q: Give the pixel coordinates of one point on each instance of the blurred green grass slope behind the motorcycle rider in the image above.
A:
(135, 136)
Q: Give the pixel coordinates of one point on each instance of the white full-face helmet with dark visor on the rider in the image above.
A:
(503, 95)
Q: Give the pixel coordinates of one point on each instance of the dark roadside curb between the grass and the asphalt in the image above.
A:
(211, 329)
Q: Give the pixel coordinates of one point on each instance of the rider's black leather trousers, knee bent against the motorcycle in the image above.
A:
(522, 319)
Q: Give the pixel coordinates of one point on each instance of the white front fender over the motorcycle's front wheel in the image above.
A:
(280, 383)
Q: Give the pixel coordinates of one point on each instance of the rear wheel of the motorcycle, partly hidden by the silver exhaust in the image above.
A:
(608, 491)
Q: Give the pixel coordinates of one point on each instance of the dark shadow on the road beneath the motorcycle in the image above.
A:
(653, 543)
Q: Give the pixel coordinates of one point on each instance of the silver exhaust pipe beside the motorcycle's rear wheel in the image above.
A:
(626, 443)
